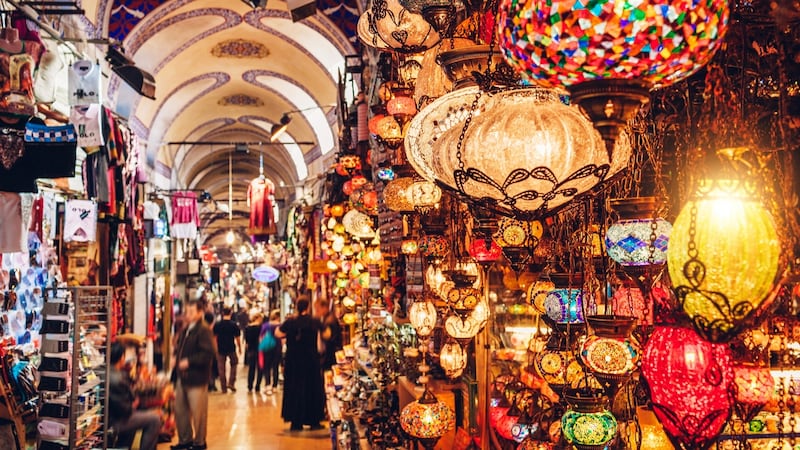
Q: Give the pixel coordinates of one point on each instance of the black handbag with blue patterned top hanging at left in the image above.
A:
(54, 149)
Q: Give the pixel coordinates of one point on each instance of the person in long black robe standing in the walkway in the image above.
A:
(303, 394)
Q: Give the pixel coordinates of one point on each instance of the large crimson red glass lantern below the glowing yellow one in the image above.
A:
(689, 381)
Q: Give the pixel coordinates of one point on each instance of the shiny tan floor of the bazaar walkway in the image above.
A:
(243, 421)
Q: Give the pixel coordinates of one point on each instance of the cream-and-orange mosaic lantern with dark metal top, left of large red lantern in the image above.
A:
(611, 353)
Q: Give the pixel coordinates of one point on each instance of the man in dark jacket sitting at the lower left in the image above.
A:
(122, 403)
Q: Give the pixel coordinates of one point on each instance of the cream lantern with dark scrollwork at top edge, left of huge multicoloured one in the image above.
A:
(387, 25)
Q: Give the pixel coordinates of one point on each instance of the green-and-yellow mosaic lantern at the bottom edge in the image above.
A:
(587, 424)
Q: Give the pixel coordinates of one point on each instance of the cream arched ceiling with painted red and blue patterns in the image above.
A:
(226, 72)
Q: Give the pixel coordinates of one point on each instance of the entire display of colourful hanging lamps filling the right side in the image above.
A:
(560, 217)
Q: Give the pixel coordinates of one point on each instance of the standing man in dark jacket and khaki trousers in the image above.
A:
(194, 354)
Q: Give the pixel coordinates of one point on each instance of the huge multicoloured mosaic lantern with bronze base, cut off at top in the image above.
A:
(610, 54)
